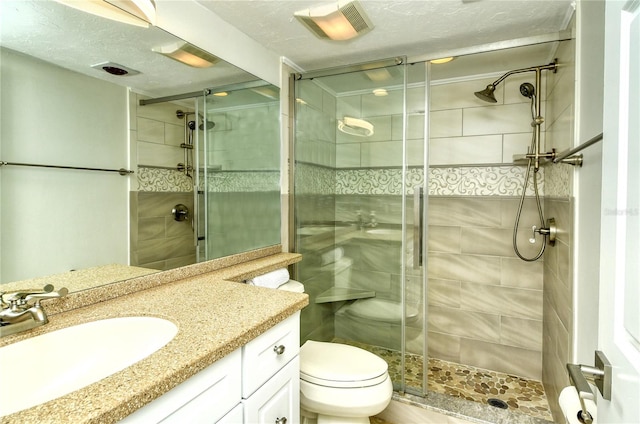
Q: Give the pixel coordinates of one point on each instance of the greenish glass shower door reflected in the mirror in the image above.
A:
(239, 162)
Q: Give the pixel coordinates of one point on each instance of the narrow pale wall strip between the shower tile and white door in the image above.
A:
(588, 178)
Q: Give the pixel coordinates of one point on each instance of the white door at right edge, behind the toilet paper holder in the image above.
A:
(619, 319)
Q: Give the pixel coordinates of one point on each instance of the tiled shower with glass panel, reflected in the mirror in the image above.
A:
(208, 175)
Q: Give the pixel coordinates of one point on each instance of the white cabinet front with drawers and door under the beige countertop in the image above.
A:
(258, 383)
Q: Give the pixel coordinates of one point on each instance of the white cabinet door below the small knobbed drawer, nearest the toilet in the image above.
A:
(278, 400)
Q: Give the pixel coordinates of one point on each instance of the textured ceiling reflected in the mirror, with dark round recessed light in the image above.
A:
(76, 40)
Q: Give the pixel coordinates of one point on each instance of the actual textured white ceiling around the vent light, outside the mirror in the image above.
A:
(402, 27)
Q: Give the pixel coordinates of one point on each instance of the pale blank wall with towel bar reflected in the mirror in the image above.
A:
(55, 220)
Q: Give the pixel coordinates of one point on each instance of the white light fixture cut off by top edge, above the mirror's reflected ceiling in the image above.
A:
(140, 13)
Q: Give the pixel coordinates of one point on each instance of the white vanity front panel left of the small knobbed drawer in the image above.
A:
(204, 398)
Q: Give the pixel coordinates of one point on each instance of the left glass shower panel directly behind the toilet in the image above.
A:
(359, 154)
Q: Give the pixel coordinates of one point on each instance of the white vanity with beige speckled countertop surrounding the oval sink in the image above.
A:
(234, 357)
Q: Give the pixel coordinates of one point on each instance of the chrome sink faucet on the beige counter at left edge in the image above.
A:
(21, 310)
